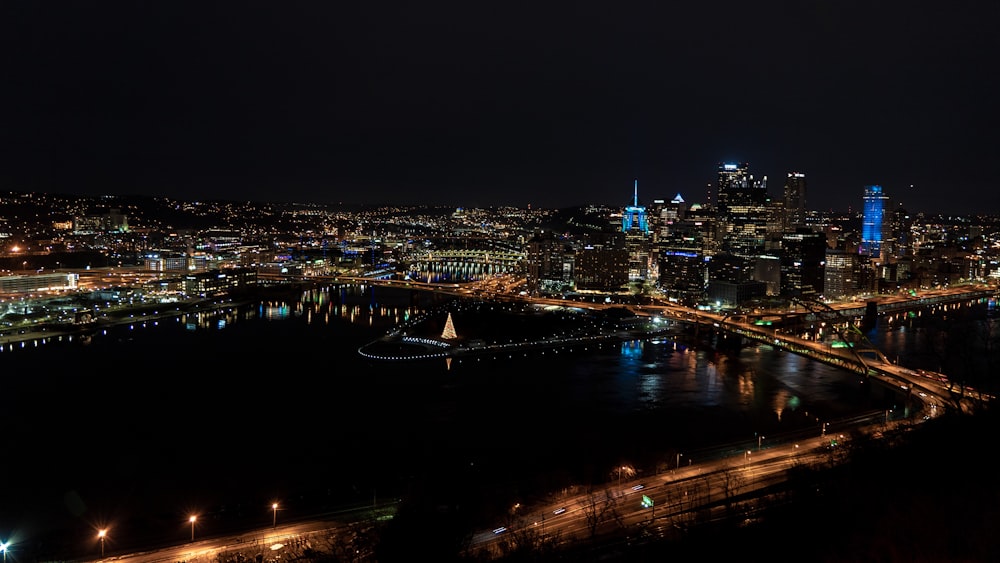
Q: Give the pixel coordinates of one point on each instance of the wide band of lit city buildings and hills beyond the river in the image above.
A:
(741, 244)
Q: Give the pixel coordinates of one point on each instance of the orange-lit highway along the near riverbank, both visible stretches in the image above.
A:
(655, 506)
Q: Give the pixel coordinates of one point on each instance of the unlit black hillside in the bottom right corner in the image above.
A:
(929, 495)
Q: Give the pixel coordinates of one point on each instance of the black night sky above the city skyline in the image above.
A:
(551, 104)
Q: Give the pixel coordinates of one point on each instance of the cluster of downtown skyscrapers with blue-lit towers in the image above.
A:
(743, 245)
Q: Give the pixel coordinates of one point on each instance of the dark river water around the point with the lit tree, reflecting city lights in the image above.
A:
(223, 413)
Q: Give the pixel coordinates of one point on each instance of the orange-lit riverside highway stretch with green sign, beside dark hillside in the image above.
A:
(658, 506)
